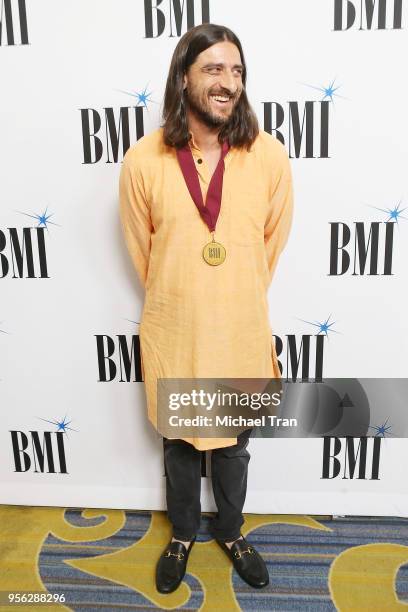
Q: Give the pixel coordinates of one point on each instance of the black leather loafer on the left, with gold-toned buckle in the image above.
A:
(171, 567)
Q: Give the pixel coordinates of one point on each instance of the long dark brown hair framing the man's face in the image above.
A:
(242, 127)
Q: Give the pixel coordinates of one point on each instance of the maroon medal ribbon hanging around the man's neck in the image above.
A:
(211, 210)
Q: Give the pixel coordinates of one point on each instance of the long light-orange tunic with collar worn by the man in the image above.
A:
(202, 321)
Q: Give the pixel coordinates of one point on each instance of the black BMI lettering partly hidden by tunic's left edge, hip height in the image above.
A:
(118, 358)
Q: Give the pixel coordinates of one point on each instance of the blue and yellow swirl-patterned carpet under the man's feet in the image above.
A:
(105, 559)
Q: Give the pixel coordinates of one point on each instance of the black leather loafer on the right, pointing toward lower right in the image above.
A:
(248, 563)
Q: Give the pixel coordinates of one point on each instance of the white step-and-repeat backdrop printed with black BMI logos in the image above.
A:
(83, 81)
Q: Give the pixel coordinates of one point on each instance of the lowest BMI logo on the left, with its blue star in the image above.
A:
(41, 451)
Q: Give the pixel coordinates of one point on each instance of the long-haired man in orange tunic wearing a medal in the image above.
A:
(206, 208)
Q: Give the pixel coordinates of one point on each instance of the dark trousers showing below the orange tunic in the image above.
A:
(229, 470)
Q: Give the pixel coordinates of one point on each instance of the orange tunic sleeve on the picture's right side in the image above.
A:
(279, 219)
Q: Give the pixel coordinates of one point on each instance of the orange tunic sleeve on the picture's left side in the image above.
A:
(135, 216)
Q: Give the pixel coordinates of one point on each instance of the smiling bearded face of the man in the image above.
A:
(214, 84)
